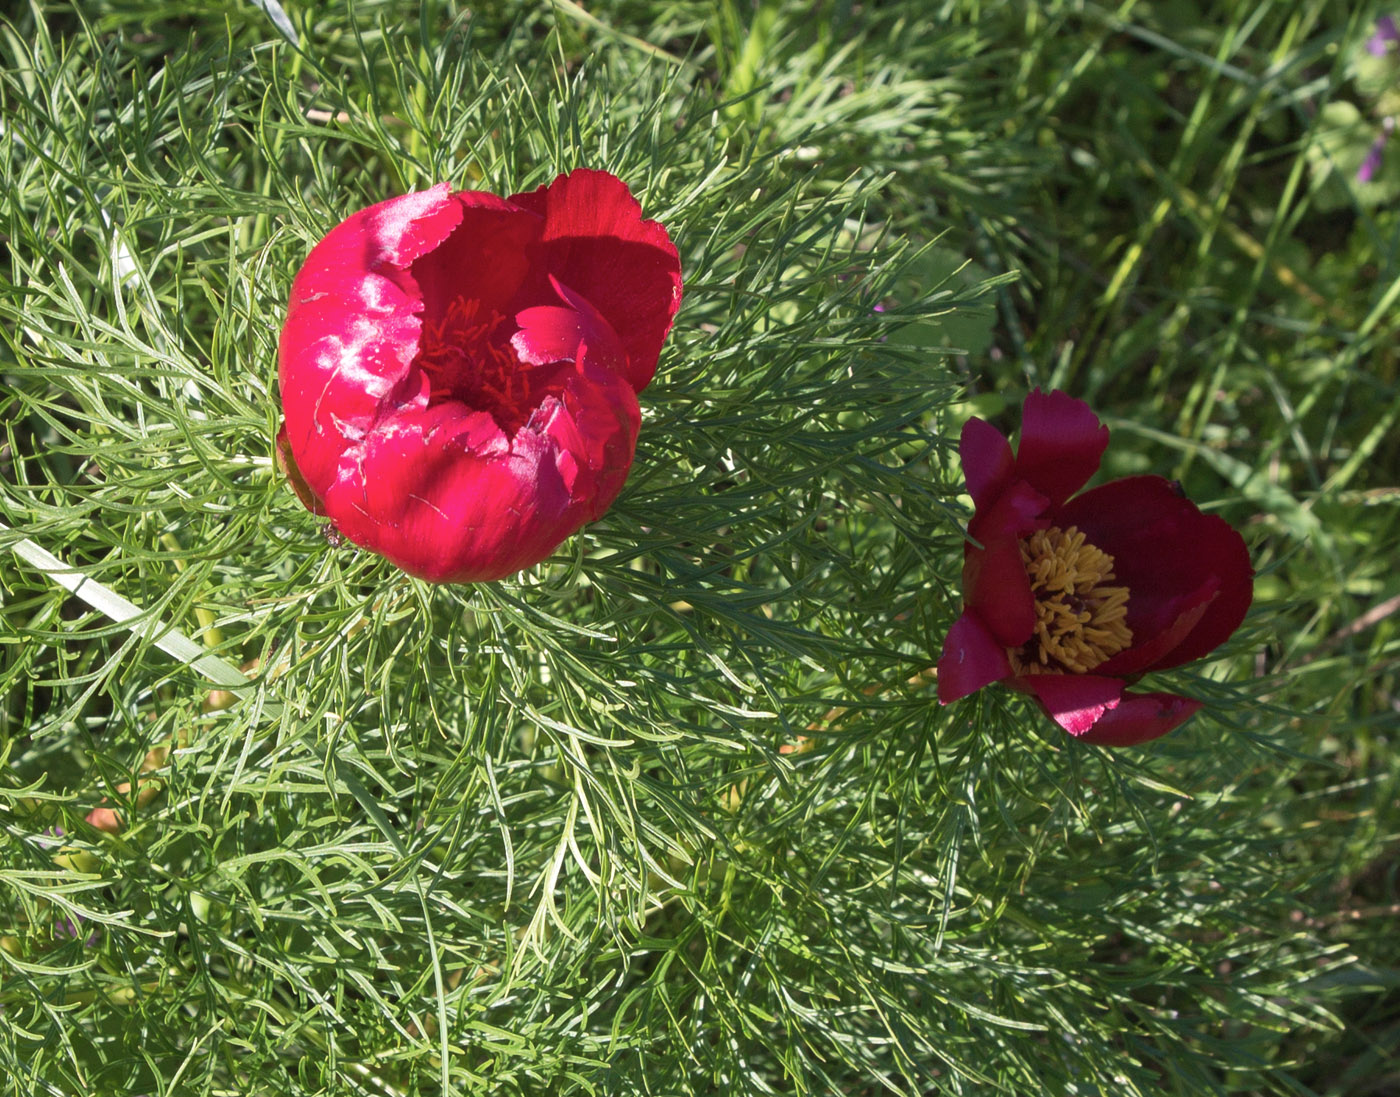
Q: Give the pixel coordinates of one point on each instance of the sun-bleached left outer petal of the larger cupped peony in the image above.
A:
(352, 327)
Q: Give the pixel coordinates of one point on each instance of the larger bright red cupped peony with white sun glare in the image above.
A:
(460, 371)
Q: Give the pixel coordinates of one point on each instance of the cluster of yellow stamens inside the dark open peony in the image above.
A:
(1080, 619)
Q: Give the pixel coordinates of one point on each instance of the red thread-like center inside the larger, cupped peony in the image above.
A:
(467, 358)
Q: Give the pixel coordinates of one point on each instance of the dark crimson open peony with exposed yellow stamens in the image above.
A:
(1072, 600)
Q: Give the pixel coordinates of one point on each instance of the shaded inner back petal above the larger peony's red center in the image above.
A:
(486, 260)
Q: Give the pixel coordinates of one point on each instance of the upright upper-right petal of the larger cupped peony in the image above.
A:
(598, 244)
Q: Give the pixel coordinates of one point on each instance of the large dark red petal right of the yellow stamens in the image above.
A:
(1172, 559)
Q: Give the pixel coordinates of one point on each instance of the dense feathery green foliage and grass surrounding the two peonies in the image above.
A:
(678, 812)
